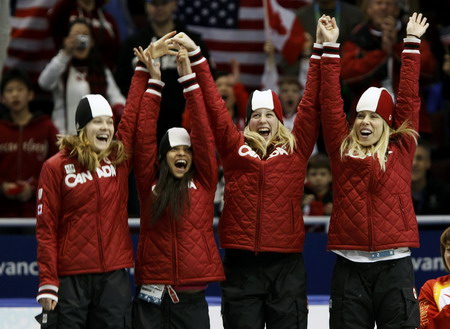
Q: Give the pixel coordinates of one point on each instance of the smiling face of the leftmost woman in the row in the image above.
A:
(99, 132)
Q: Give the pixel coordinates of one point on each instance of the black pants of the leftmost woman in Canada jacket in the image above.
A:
(95, 301)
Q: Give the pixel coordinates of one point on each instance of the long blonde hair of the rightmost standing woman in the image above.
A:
(352, 147)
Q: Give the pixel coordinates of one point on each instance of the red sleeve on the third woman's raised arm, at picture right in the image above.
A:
(306, 125)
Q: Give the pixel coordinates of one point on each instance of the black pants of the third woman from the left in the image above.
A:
(268, 289)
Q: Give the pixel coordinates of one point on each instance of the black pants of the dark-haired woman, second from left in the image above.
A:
(191, 312)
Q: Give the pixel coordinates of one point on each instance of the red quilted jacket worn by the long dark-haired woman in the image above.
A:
(181, 252)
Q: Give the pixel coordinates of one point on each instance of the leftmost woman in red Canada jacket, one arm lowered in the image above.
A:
(84, 244)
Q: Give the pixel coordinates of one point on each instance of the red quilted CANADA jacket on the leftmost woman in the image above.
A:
(82, 219)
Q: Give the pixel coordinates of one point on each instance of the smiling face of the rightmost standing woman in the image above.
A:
(369, 127)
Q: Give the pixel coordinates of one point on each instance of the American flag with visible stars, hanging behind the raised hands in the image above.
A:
(233, 29)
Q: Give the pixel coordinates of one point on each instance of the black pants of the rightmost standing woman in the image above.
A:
(363, 294)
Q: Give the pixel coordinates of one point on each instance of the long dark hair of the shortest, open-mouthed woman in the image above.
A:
(170, 193)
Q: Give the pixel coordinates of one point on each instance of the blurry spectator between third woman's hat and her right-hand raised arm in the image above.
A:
(290, 93)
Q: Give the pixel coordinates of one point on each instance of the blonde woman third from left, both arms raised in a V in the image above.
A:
(261, 226)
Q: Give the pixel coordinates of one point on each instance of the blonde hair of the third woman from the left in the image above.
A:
(281, 138)
